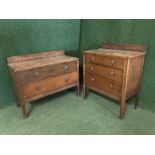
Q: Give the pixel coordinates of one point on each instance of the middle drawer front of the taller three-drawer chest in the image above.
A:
(109, 72)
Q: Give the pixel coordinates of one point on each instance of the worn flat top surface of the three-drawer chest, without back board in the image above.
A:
(115, 53)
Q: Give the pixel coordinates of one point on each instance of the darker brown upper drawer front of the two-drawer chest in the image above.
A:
(44, 72)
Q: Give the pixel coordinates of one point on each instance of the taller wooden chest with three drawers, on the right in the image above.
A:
(115, 71)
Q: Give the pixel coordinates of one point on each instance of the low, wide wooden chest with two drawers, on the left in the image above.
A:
(37, 75)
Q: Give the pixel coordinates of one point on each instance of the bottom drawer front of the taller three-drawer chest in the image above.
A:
(101, 83)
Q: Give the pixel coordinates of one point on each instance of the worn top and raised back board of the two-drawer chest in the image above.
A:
(18, 63)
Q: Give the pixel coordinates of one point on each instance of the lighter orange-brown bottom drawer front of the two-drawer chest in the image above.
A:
(41, 86)
